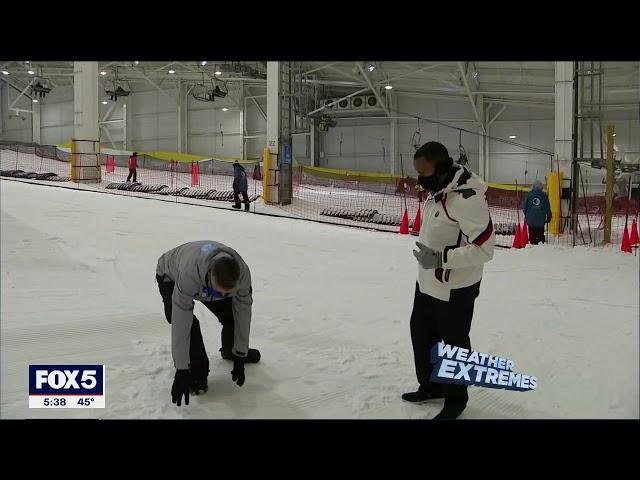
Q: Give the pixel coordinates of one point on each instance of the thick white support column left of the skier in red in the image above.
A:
(85, 148)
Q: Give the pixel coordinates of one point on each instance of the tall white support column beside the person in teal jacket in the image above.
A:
(564, 126)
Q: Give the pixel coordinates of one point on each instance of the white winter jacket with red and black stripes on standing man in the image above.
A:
(456, 222)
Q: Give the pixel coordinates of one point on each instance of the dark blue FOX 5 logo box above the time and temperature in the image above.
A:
(66, 380)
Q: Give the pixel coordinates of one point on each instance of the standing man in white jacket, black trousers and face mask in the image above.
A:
(456, 240)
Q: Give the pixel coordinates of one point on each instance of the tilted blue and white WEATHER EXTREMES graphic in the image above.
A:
(463, 367)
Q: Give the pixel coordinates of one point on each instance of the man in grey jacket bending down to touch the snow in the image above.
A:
(217, 276)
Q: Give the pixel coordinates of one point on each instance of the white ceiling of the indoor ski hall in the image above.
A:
(524, 82)
